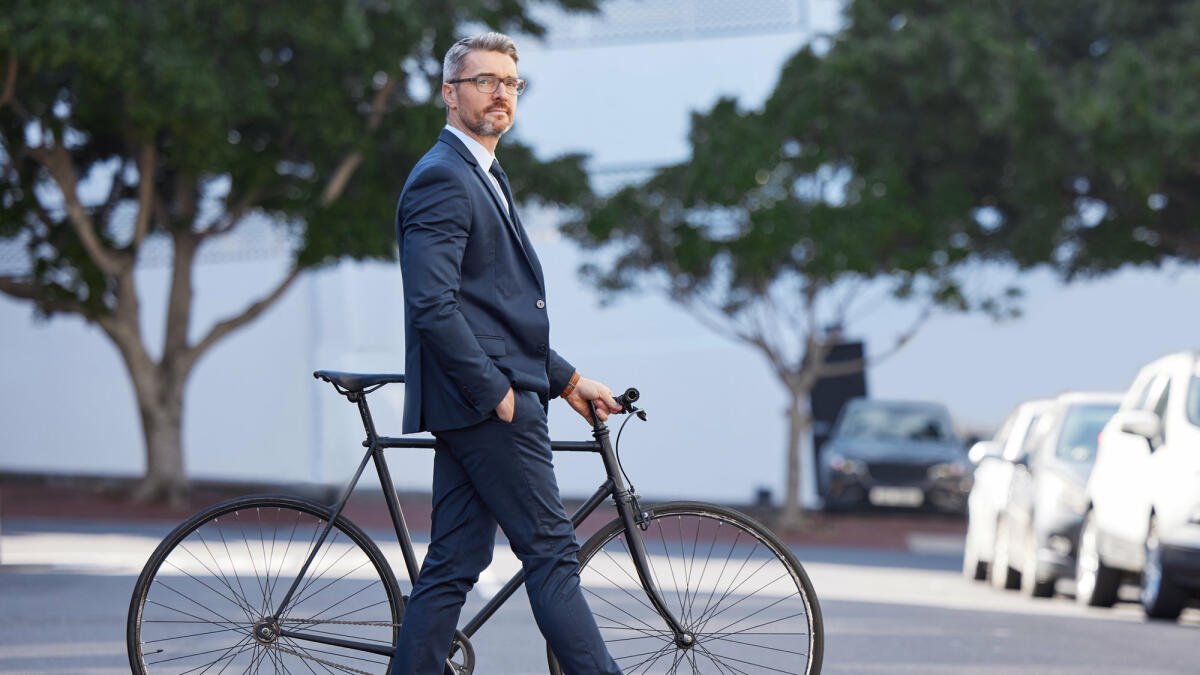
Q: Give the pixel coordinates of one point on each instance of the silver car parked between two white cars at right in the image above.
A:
(1039, 530)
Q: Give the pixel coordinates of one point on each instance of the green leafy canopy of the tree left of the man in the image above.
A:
(267, 98)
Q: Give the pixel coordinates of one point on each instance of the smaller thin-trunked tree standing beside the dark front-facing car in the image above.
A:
(771, 235)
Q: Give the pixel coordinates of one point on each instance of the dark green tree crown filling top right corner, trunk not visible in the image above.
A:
(1061, 134)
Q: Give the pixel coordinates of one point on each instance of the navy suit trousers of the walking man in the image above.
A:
(488, 475)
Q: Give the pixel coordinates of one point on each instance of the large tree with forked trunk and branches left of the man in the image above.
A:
(122, 120)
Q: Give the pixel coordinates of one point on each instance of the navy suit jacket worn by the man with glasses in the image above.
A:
(476, 316)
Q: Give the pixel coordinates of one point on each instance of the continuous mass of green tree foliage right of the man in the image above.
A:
(929, 133)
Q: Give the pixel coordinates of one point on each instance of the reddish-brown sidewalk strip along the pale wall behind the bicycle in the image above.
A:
(47, 500)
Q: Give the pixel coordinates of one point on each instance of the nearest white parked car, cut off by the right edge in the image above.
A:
(1144, 495)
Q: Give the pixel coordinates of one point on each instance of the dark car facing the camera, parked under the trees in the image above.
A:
(895, 455)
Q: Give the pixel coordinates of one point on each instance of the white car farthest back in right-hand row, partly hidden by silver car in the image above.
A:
(989, 493)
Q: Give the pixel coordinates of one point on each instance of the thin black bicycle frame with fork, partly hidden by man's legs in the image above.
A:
(623, 499)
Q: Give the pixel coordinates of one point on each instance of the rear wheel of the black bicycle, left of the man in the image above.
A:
(225, 570)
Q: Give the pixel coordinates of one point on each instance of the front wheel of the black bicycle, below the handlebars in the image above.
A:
(730, 581)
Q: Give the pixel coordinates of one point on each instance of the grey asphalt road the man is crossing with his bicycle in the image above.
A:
(65, 589)
